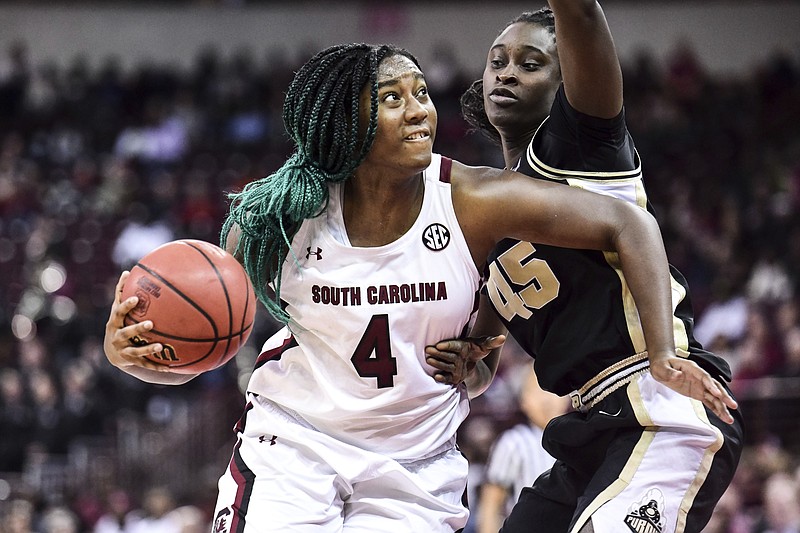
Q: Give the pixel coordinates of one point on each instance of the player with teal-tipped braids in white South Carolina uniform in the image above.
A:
(370, 247)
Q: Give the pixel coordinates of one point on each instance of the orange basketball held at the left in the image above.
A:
(200, 300)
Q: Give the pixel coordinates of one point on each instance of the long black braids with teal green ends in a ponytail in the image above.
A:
(321, 116)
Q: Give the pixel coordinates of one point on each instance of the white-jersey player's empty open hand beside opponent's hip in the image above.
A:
(688, 378)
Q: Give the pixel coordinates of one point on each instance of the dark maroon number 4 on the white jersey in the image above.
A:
(383, 365)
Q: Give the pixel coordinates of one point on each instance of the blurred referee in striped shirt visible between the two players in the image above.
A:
(517, 457)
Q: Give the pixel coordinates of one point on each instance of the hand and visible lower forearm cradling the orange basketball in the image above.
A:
(127, 357)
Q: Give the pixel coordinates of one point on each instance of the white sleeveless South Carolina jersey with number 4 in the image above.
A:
(351, 362)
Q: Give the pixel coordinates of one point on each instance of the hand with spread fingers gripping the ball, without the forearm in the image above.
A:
(119, 349)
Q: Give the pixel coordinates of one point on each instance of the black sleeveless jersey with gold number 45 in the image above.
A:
(571, 309)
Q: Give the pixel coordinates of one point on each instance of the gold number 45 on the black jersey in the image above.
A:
(535, 275)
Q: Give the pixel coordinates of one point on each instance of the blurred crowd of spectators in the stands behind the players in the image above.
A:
(99, 165)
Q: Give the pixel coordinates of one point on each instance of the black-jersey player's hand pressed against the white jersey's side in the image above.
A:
(455, 359)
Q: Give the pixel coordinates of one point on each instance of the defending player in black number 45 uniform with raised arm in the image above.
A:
(641, 451)
